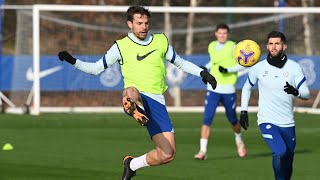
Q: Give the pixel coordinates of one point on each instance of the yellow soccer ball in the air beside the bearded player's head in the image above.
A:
(247, 53)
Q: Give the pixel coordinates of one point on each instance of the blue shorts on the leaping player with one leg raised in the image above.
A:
(157, 113)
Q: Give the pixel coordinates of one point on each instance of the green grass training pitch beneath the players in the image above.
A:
(91, 146)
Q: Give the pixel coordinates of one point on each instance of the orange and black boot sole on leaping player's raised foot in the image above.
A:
(133, 110)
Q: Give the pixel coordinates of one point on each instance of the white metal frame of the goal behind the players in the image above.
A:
(36, 108)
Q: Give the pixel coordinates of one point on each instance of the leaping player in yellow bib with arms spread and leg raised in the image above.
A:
(142, 58)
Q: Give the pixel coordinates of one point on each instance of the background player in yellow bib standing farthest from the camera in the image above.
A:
(224, 68)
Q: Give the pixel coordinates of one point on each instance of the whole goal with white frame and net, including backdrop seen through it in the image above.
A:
(40, 82)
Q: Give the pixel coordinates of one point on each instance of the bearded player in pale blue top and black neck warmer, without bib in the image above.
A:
(279, 80)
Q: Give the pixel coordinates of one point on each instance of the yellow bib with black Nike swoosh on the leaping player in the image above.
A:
(143, 65)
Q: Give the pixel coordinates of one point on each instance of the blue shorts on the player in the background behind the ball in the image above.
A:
(229, 102)
